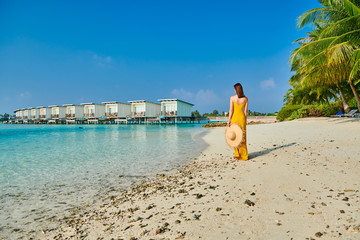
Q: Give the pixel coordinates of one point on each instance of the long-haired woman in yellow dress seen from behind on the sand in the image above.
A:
(238, 114)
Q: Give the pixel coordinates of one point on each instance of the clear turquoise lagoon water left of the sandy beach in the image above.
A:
(47, 169)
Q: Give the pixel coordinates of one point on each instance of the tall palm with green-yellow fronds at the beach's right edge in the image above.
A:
(331, 51)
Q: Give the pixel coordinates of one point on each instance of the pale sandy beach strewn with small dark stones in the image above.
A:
(301, 182)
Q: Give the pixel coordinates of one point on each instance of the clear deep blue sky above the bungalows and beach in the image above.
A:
(58, 52)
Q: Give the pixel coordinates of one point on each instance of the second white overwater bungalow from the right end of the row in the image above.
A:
(144, 109)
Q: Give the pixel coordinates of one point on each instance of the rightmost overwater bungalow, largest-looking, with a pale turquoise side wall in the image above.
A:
(175, 108)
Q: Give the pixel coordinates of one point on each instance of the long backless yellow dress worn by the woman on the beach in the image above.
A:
(239, 118)
